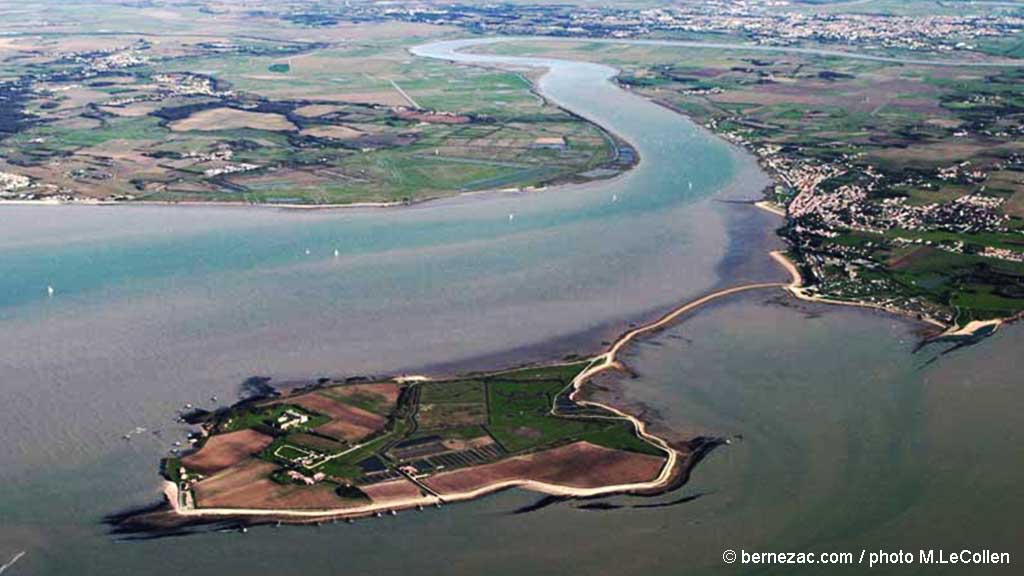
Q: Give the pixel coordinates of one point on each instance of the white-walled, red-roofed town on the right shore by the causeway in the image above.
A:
(840, 231)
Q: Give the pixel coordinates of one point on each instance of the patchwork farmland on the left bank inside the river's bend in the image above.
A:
(344, 120)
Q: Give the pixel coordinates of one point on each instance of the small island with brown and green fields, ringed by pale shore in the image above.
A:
(360, 447)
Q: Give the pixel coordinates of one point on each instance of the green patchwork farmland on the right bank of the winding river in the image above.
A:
(886, 129)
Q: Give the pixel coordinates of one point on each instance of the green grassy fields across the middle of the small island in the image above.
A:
(511, 412)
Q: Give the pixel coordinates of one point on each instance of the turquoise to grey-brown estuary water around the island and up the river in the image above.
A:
(157, 307)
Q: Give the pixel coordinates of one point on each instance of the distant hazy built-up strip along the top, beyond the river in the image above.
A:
(763, 22)
